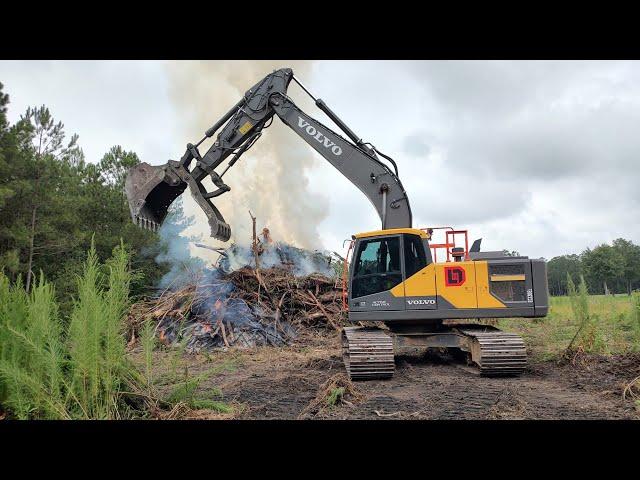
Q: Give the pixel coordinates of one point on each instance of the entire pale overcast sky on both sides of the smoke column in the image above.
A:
(539, 157)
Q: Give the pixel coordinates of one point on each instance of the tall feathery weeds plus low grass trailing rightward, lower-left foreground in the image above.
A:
(77, 367)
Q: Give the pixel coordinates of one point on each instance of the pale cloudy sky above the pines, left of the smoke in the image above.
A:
(105, 102)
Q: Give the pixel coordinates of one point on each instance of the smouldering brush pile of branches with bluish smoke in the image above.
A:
(235, 303)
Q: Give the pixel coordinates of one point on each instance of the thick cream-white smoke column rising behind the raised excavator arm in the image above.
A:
(270, 178)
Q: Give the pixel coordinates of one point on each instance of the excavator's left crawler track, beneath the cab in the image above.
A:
(367, 353)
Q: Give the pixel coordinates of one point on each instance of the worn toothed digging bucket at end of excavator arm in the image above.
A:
(150, 190)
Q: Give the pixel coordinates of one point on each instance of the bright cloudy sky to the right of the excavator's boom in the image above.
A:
(538, 157)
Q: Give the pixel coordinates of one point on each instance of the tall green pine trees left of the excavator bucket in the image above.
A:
(53, 201)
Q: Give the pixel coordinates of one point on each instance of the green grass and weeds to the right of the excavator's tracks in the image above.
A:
(614, 322)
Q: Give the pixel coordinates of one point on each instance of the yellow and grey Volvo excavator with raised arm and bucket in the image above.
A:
(394, 278)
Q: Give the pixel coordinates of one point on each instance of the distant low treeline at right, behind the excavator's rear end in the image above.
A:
(606, 269)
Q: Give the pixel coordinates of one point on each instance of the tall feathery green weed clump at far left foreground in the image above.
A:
(81, 371)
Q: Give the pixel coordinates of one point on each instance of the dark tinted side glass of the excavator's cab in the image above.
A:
(377, 266)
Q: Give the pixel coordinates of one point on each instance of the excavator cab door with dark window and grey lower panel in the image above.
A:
(376, 269)
